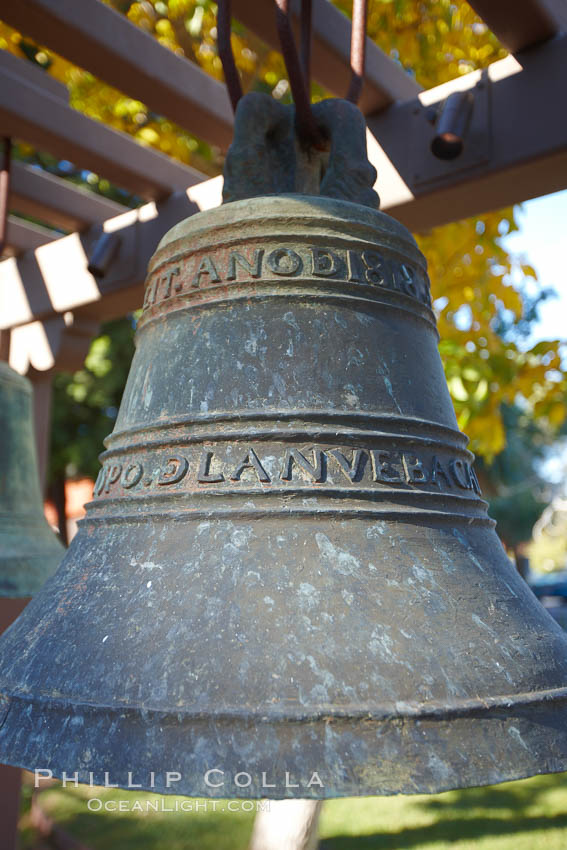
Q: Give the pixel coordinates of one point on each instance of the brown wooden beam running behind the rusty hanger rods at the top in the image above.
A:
(385, 81)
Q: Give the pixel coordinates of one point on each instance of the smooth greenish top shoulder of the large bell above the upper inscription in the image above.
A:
(291, 205)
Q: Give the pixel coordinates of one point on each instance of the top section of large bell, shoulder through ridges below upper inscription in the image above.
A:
(200, 262)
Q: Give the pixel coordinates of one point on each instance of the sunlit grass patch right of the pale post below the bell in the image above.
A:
(526, 815)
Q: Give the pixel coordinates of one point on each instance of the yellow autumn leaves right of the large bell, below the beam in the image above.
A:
(487, 368)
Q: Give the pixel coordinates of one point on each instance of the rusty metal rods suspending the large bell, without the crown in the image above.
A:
(298, 65)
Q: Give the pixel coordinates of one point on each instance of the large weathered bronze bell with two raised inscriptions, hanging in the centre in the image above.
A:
(287, 584)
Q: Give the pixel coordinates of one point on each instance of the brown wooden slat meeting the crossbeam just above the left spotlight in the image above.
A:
(58, 202)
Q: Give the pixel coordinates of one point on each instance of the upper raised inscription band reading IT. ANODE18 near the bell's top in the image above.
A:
(356, 267)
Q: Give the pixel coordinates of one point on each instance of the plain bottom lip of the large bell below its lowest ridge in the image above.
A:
(489, 729)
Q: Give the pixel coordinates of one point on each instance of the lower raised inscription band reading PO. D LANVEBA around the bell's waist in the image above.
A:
(235, 466)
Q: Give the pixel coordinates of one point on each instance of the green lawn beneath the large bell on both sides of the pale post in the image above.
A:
(527, 815)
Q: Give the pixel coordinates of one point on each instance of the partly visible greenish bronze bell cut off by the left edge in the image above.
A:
(29, 550)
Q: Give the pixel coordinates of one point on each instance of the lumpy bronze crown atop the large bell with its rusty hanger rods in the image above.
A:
(300, 148)
